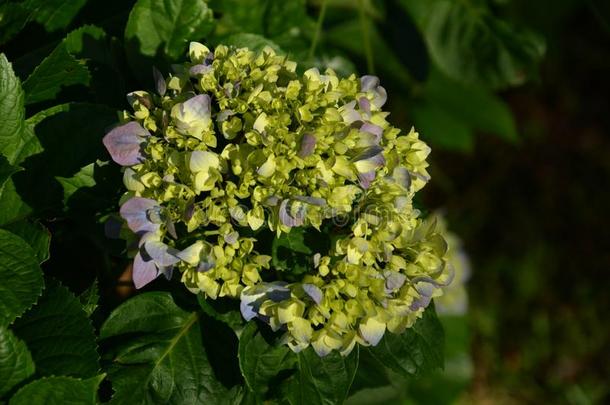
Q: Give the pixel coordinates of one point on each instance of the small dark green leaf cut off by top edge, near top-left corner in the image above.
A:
(53, 14)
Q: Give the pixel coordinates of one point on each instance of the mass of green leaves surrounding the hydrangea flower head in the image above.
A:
(70, 65)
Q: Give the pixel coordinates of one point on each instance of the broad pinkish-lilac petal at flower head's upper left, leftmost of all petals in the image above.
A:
(124, 143)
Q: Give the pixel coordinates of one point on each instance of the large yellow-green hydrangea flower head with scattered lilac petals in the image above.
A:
(236, 143)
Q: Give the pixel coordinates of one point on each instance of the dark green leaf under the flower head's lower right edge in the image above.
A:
(417, 350)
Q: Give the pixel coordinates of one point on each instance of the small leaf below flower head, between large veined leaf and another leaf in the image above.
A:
(259, 361)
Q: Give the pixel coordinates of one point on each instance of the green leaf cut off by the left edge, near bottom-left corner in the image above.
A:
(15, 361)
